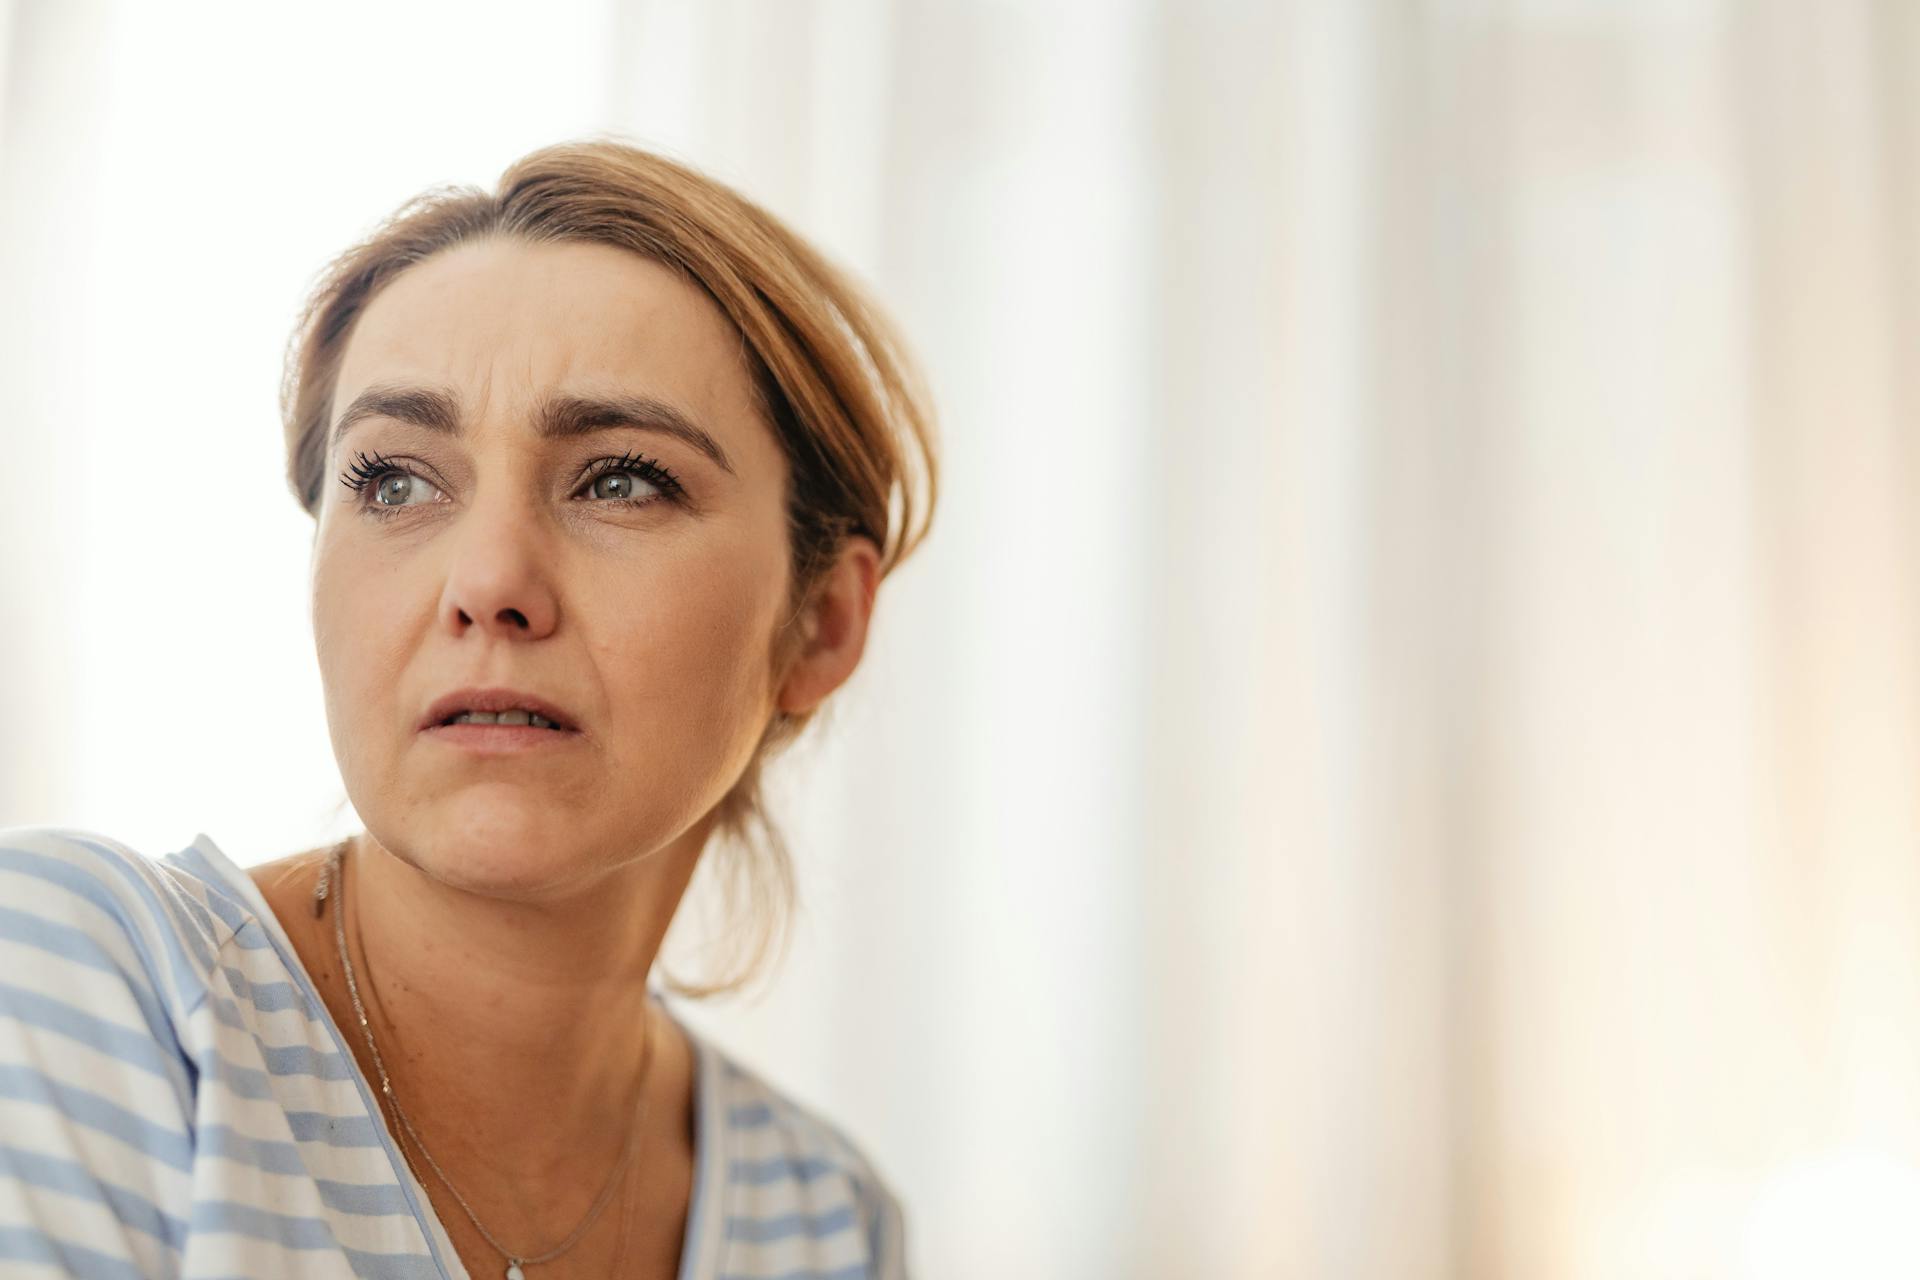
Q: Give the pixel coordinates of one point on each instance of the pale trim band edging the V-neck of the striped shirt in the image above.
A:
(700, 1241)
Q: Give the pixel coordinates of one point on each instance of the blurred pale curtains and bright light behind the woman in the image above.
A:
(1401, 753)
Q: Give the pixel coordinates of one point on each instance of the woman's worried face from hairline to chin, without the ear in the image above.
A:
(519, 525)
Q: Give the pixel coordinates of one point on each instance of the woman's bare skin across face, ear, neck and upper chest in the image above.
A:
(504, 913)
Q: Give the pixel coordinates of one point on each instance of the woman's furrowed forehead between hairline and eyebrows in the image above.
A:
(504, 323)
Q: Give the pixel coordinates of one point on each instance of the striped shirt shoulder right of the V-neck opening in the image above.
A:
(792, 1168)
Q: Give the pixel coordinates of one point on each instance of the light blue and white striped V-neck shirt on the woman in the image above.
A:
(176, 1101)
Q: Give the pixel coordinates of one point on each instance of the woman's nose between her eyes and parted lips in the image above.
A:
(498, 581)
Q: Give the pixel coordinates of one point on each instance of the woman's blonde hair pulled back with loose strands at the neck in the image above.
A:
(830, 371)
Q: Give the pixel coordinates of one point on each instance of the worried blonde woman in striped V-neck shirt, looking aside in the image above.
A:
(606, 469)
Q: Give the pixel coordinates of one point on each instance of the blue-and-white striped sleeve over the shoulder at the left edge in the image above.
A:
(105, 1001)
